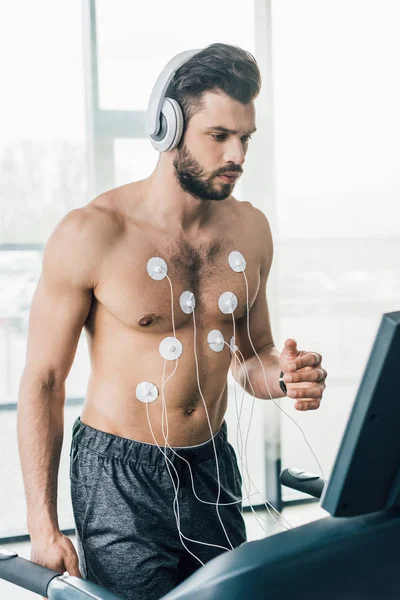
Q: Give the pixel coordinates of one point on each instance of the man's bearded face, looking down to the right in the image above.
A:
(215, 143)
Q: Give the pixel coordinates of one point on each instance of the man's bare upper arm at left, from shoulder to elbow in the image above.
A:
(61, 301)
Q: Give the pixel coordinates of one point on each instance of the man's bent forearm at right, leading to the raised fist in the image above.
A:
(269, 357)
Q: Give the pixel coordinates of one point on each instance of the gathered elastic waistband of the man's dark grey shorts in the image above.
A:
(115, 446)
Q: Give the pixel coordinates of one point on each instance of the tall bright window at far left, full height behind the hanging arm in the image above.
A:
(43, 176)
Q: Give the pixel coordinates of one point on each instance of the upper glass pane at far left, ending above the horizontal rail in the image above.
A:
(42, 148)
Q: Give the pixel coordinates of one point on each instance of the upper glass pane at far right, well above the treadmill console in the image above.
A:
(337, 117)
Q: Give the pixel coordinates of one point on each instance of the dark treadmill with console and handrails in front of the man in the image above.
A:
(353, 554)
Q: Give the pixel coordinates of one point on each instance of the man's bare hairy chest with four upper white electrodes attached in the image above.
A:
(128, 290)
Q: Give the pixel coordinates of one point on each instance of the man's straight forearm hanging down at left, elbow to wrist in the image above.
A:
(40, 427)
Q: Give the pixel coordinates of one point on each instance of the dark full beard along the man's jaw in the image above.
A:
(193, 180)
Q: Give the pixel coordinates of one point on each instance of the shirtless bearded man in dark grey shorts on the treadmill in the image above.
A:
(94, 277)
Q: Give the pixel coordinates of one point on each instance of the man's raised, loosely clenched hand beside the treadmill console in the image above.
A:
(303, 375)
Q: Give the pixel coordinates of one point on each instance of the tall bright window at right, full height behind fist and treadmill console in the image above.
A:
(337, 129)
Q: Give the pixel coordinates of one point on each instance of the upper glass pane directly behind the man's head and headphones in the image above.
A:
(134, 44)
